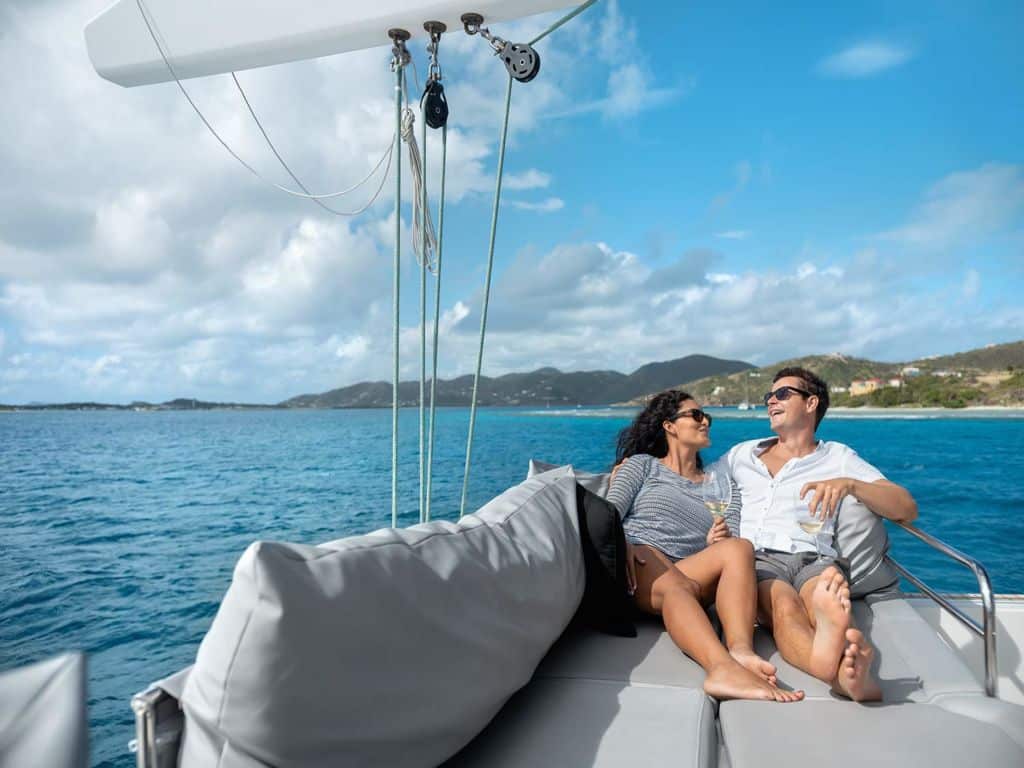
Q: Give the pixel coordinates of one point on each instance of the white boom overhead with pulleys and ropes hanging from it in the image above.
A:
(210, 37)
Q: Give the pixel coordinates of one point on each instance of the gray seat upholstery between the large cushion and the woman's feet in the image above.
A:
(605, 702)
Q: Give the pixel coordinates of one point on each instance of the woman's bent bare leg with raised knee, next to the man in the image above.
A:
(726, 575)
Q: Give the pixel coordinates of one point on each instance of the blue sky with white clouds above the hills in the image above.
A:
(749, 183)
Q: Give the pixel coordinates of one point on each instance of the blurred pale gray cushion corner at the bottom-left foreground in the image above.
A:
(42, 714)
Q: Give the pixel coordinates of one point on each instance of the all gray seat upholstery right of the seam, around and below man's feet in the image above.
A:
(934, 712)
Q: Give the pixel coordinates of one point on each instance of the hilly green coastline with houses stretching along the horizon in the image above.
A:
(992, 376)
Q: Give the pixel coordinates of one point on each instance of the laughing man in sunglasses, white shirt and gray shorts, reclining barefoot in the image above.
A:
(803, 599)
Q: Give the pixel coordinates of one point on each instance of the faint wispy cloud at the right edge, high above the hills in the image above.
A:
(964, 207)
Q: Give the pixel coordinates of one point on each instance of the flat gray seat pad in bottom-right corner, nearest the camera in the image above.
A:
(843, 735)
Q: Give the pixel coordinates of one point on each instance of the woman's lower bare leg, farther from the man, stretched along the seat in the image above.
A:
(664, 591)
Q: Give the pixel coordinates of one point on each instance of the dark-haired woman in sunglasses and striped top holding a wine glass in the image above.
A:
(678, 562)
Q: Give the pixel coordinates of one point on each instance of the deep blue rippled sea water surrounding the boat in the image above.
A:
(121, 529)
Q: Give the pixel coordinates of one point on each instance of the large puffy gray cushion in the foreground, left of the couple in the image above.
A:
(393, 649)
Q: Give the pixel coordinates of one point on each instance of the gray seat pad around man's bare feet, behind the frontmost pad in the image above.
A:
(912, 663)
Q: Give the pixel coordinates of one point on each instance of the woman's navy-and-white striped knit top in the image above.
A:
(665, 510)
